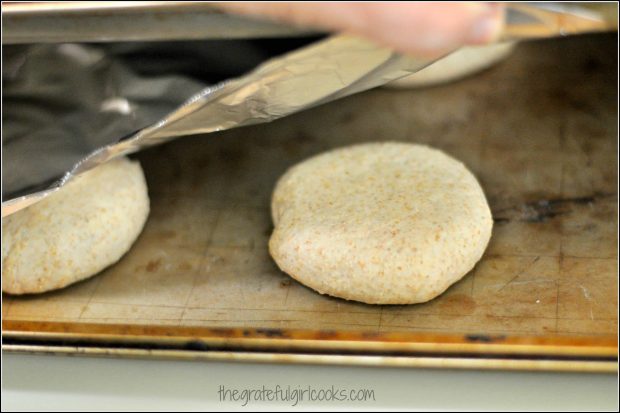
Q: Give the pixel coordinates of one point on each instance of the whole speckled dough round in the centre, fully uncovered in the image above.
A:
(381, 223)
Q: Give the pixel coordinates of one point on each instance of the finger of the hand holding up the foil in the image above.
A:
(421, 28)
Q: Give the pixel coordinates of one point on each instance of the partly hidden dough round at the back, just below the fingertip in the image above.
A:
(463, 62)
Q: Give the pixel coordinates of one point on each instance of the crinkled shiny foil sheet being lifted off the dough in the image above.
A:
(70, 107)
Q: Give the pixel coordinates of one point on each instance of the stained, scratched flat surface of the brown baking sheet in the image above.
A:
(539, 130)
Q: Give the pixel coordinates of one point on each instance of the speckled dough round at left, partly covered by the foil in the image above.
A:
(76, 232)
